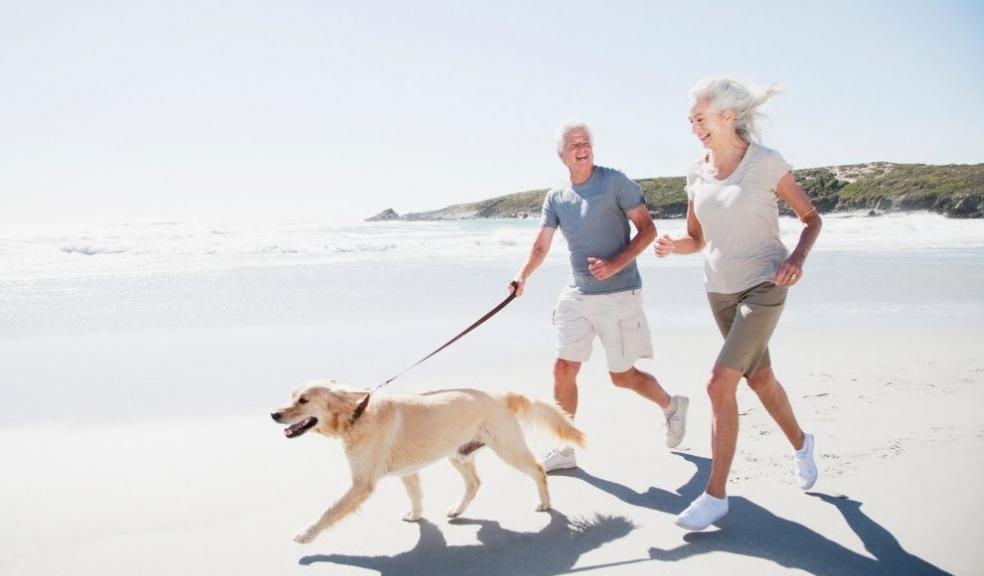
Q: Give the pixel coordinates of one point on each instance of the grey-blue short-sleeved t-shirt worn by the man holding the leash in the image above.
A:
(592, 217)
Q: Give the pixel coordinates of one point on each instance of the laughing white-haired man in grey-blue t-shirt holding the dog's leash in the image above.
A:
(604, 299)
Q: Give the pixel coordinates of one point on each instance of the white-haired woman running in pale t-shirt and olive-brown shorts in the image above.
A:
(733, 218)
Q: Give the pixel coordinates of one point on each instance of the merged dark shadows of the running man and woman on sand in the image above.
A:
(751, 530)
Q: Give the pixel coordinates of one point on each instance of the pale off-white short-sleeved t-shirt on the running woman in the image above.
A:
(740, 219)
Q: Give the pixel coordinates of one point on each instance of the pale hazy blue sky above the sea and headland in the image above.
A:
(117, 111)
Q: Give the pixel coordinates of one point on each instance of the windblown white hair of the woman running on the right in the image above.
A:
(729, 94)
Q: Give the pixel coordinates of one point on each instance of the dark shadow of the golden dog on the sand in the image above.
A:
(553, 550)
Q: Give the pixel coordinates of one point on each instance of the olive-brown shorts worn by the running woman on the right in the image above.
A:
(746, 320)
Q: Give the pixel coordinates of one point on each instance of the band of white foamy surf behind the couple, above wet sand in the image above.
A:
(129, 250)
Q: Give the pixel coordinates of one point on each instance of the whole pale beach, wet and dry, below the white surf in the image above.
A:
(137, 436)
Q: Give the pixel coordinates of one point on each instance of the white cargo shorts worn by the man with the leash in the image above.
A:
(617, 319)
